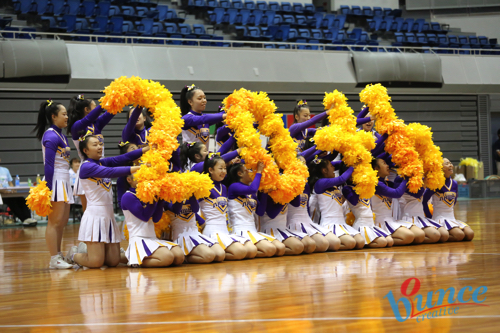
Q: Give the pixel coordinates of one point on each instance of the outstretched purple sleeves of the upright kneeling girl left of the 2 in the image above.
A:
(109, 167)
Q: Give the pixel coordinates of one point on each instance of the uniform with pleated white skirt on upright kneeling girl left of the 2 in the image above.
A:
(98, 222)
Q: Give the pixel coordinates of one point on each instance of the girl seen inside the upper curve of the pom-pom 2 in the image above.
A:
(137, 129)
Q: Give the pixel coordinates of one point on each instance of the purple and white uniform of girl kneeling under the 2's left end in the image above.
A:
(140, 218)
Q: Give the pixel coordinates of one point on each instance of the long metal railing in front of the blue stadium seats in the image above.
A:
(237, 44)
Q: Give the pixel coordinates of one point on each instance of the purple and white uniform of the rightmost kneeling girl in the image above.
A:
(443, 201)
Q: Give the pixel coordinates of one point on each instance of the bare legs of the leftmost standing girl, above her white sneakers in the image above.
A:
(57, 220)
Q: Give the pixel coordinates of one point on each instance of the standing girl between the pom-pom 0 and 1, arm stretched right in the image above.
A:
(299, 131)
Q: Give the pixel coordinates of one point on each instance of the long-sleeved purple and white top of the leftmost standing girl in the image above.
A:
(56, 147)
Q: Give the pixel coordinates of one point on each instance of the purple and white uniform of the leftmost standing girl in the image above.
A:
(56, 153)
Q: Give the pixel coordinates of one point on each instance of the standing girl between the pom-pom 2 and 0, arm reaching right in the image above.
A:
(196, 125)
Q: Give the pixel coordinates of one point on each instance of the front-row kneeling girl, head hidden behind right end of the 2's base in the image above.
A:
(198, 248)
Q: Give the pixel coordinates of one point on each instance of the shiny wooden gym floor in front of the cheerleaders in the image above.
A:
(341, 292)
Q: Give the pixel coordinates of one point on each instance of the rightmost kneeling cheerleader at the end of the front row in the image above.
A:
(444, 201)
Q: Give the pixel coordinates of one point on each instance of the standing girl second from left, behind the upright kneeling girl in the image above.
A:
(85, 118)
